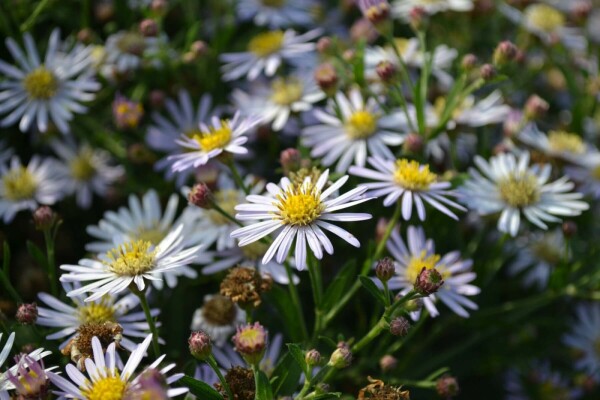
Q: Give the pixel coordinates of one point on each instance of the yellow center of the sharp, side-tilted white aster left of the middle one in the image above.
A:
(131, 259)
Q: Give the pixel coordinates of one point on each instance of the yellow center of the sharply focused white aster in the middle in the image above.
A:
(299, 205)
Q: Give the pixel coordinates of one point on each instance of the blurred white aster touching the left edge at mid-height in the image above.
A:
(25, 188)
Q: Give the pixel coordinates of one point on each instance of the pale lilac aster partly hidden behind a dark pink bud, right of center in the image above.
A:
(419, 253)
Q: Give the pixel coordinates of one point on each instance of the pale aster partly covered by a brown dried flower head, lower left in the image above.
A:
(69, 317)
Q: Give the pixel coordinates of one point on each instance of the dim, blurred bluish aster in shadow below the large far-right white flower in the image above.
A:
(537, 255)
